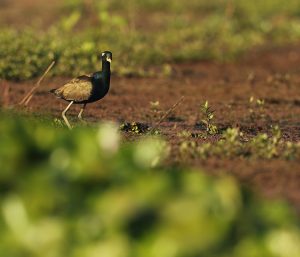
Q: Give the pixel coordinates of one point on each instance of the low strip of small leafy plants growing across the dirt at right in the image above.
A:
(233, 144)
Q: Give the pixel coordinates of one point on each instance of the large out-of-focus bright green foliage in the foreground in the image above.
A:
(83, 193)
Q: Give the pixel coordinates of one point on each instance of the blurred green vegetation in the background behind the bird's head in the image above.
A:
(145, 34)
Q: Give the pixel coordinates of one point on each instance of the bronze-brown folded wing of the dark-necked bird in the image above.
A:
(78, 89)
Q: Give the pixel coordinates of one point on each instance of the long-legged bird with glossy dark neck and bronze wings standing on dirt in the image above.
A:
(86, 88)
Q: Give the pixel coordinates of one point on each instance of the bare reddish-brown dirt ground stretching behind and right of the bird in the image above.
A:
(269, 74)
